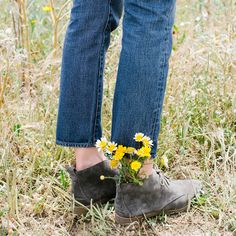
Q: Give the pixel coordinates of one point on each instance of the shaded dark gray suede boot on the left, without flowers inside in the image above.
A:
(87, 186)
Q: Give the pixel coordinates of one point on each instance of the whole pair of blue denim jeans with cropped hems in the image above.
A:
(142, 72)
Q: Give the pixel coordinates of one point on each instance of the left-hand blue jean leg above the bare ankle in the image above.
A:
(81, 82)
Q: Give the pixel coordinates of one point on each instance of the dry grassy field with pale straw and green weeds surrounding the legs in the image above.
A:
(198, 123)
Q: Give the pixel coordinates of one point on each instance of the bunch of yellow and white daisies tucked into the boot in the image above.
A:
(128, 160)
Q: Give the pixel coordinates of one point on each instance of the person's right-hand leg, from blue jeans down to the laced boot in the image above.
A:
(139, 93)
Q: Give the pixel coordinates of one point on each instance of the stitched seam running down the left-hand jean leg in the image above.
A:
(101, 61)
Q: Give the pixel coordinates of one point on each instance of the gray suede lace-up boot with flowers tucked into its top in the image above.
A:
(157, 194)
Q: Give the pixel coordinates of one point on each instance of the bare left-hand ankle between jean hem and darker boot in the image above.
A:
(88, 157)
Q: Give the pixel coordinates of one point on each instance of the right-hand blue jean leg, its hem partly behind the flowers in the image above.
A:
(143, 70)
